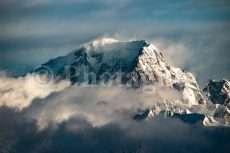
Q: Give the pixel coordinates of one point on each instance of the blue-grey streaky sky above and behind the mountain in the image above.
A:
(191, 34)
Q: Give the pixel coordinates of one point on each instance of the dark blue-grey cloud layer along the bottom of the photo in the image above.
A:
(77, 135)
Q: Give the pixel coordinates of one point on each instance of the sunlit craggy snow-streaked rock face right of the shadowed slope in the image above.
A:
(152, 67)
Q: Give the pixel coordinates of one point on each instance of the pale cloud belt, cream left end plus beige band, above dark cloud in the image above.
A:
(50, 103)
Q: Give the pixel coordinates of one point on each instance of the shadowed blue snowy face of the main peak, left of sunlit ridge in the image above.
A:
(97, 61)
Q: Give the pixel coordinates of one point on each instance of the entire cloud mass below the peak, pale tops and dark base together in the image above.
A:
(59, 118)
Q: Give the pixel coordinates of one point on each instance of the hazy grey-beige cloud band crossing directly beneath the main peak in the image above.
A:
(97, 105)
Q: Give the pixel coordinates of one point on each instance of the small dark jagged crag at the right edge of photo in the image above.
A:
(218, 92)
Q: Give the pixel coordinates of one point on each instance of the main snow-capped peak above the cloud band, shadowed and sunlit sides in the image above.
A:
(133, 63)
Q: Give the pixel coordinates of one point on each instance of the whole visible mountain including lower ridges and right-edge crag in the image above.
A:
(137, 64)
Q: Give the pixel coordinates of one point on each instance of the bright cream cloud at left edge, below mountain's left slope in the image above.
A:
(19, 92)
